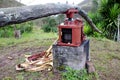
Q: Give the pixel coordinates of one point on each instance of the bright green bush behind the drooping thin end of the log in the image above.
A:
(97, 20)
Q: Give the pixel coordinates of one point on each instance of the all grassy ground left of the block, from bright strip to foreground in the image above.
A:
(29, 43)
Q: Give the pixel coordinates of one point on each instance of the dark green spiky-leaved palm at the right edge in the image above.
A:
(109, 10)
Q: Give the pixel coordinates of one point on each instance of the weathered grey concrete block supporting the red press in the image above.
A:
(74, 57)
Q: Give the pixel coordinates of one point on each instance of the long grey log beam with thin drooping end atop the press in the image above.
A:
(17, 15)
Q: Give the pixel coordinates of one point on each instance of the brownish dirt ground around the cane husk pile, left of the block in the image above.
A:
(17, 52)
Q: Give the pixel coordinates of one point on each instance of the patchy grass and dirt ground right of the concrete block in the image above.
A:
(105, 55)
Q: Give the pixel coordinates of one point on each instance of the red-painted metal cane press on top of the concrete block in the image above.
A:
(71, 32)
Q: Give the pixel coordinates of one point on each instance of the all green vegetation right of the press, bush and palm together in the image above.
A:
(104, 14)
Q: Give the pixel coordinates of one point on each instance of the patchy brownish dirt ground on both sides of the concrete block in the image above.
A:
(105, 55)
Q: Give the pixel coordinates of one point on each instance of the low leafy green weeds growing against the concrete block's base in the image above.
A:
(72, 74)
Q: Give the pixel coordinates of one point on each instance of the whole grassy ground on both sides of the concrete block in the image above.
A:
(105, 54)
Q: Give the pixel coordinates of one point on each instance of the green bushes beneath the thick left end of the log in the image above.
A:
(8, 31)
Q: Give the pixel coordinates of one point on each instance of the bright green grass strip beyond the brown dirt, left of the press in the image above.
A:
(36, 35)
